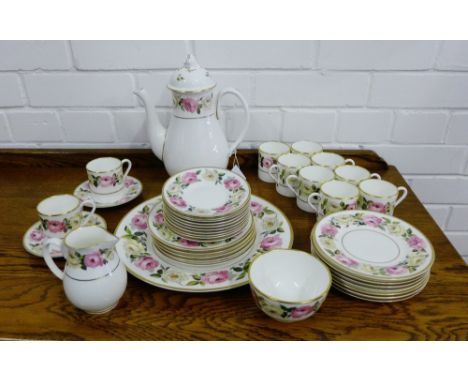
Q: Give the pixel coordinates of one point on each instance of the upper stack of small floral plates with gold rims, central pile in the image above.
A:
(206, 204)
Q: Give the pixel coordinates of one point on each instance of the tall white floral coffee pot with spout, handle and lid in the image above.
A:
(195, 136)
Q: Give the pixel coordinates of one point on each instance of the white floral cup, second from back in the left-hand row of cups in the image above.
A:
(288, 164)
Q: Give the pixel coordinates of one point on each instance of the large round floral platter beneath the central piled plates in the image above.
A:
(143, 261)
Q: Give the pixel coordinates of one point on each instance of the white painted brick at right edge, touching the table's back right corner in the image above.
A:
(424, 159)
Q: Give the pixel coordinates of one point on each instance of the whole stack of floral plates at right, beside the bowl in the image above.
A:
(373, 256)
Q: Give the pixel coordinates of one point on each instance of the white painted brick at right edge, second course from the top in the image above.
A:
(419, 90)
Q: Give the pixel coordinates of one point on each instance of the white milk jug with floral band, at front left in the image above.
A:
(94, 278)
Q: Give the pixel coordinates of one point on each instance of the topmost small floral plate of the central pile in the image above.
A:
(206, 192)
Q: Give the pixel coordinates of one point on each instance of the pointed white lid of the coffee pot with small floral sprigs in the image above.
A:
(191, 78)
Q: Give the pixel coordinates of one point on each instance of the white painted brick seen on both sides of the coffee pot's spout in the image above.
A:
(130, 125)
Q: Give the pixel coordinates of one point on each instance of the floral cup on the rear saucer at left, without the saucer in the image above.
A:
(106, 175)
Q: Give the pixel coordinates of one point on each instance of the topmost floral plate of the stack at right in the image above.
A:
(373, 245)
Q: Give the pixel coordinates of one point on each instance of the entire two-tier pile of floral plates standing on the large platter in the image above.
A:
(203, 217)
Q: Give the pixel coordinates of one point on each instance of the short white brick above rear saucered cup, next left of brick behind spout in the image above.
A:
(85, 126)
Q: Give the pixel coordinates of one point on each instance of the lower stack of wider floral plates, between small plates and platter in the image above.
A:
(194, 252)
